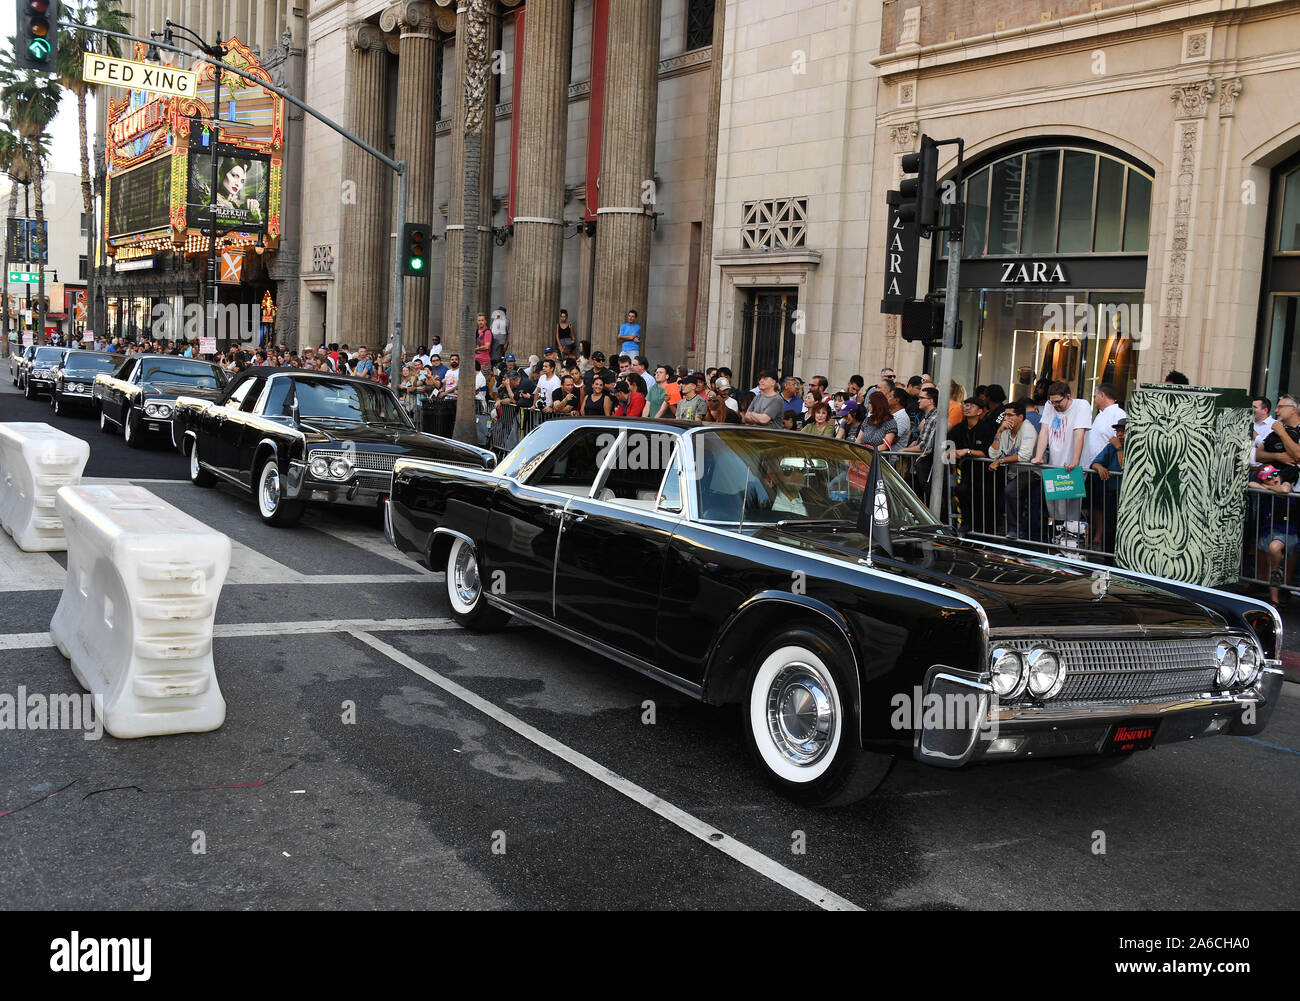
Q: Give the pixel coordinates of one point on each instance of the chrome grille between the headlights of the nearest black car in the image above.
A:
(1129, 670)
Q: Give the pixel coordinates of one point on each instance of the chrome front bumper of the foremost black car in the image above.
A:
(980, 730)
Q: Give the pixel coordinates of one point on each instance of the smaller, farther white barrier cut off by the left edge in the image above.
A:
(36, 462)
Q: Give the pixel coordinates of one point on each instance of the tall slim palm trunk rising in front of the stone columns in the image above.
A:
(478, 118)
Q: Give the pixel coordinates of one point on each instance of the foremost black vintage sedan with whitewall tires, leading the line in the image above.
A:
(730, 565)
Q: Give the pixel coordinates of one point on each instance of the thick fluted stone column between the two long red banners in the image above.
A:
(541, 103)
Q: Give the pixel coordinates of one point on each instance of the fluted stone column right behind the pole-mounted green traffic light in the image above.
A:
(417, 79)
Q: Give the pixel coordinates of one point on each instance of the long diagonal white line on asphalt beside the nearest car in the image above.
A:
(712, 837)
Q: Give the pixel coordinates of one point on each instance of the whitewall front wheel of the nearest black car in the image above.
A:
(800, 725)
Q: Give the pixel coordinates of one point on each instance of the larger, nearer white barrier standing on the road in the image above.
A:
(136, 617)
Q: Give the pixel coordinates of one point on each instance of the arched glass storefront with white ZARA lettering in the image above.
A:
(1054, 272)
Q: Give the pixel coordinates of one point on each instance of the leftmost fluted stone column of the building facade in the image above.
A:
(363, 268)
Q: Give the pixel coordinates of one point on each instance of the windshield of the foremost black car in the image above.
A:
(765, 478)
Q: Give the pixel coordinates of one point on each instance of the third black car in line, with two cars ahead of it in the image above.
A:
(140, 398)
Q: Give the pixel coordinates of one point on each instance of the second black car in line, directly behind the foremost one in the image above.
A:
(292, 437)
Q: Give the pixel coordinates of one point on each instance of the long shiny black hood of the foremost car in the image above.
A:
(1015, 591)
